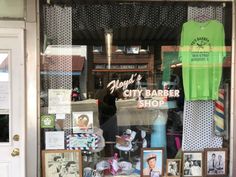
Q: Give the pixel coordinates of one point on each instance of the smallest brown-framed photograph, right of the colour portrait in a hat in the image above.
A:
(173, 167)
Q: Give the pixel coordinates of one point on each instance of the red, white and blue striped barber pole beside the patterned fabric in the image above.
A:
(219, 117)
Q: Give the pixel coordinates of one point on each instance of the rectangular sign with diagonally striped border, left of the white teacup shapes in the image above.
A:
(82, 141)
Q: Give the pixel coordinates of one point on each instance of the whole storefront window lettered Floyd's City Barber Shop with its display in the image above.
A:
(158, 110)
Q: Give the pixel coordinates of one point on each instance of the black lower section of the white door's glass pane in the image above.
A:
(4, 128)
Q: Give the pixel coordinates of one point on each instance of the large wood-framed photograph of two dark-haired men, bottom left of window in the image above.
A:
(63, 163)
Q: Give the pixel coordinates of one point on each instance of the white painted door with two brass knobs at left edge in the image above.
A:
(12, 103)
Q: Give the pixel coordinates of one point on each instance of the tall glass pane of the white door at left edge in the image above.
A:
(4, 98)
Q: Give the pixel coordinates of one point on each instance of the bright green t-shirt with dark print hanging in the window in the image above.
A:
(202, 53)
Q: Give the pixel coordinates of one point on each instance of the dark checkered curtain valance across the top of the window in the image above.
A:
(95, 17)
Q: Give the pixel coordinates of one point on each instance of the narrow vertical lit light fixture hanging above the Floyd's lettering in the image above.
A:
(108, 41)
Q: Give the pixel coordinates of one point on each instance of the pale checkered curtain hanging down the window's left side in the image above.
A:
(56, 25)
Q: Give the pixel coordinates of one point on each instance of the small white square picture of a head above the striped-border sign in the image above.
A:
(82, 122)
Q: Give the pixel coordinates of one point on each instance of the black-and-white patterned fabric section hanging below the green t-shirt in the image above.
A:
(198, 126)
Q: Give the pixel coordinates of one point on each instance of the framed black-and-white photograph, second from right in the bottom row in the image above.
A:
(192, 163)
